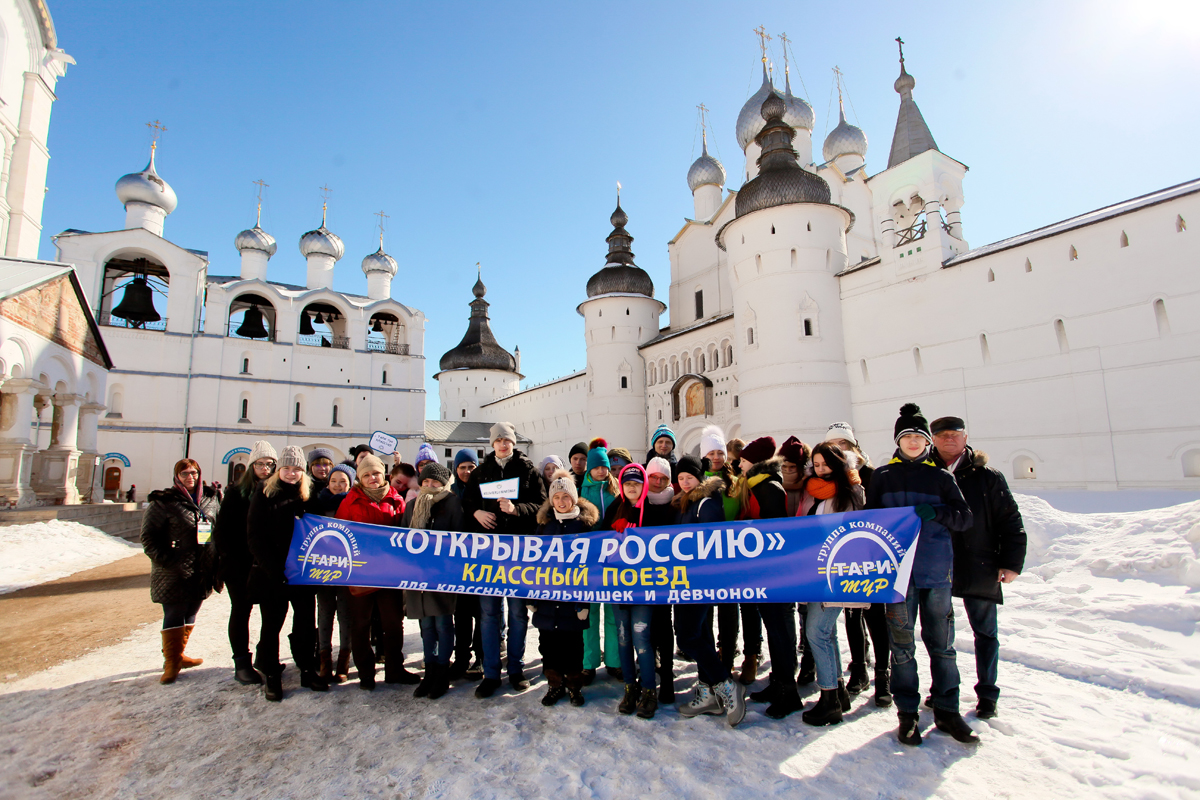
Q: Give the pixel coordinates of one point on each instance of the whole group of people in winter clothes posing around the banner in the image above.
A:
(971, 543)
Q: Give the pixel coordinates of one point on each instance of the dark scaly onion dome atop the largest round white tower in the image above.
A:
(781, 178)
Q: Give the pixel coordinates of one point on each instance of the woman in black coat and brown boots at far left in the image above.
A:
(177, 534)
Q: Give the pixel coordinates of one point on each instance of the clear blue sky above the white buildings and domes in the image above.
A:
(497, 133)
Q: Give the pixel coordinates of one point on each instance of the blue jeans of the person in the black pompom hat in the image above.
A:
(938, 633)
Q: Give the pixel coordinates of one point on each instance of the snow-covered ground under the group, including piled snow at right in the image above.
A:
(1100, 679)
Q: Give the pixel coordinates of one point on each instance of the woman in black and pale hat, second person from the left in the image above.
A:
(230, 538)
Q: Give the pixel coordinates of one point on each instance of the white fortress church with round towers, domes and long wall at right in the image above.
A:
(821, 292)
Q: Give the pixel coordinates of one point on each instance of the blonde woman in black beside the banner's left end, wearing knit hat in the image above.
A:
(273, 513)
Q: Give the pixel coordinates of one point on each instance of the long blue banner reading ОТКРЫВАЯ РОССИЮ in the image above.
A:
(860, 557)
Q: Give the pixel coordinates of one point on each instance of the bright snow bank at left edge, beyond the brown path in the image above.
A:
(47, 551)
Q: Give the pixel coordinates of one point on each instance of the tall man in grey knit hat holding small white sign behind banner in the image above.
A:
(508, 518)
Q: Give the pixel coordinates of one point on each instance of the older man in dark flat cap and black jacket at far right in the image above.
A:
(988, 555)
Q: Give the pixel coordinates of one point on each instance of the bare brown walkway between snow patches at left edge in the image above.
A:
(61, 621)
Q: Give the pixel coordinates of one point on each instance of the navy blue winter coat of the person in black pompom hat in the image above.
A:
(901, 484)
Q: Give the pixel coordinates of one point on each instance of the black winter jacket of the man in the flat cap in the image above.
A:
(997, 540)
